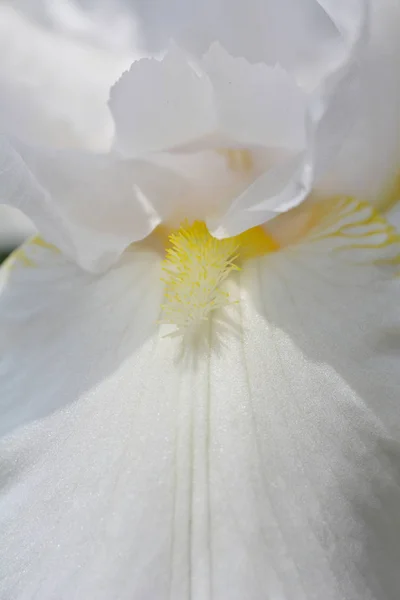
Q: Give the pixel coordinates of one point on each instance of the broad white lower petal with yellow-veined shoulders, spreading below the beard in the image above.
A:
(264, 465)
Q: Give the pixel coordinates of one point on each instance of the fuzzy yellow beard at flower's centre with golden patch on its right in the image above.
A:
(196, 266)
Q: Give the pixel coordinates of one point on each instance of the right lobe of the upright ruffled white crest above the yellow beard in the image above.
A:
(257, 105)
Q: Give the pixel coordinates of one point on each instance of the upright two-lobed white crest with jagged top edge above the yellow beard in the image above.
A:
(219, 101)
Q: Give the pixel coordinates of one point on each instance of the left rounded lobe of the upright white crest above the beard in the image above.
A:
(160, 104)
